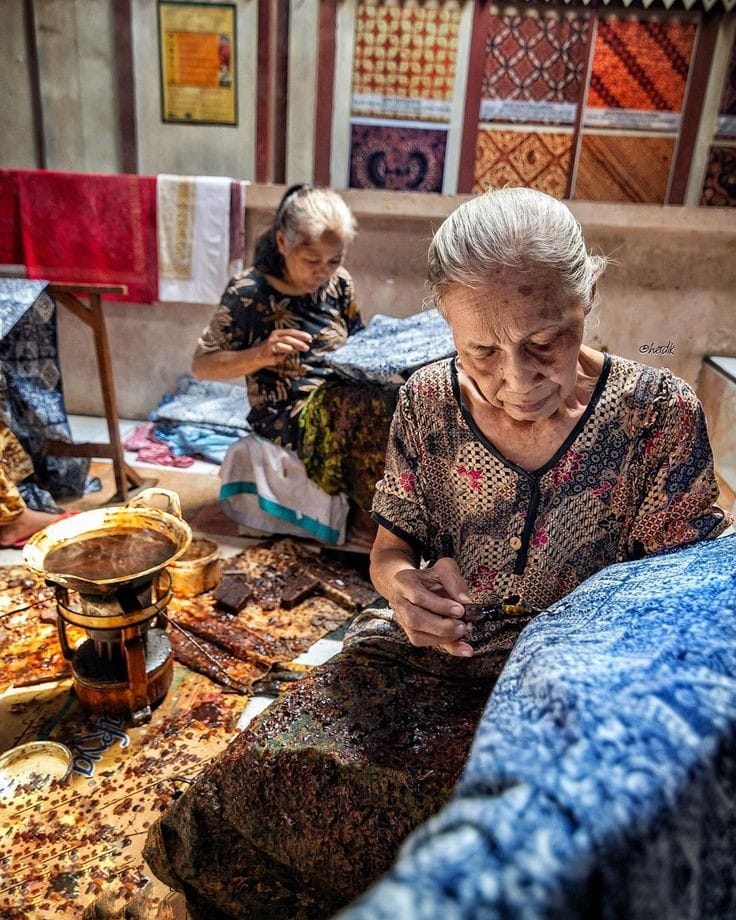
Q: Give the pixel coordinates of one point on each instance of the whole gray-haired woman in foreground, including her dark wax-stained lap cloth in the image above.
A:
(514, 471)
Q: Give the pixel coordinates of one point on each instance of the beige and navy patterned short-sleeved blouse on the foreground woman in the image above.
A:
(634, 477)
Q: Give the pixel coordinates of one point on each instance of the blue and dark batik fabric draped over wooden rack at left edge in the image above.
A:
(31, 395)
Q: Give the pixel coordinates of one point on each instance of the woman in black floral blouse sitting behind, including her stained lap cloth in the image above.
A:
(276, 322)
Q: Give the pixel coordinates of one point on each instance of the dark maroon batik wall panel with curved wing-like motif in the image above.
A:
(404, 159)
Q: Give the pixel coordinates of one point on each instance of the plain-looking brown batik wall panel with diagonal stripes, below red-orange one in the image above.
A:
(619, 167)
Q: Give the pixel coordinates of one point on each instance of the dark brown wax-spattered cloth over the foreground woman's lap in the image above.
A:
(310, 804)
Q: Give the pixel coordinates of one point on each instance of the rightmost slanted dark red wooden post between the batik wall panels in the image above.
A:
(692, 106)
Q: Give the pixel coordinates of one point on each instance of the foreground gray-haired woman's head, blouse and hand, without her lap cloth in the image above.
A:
(529, 461)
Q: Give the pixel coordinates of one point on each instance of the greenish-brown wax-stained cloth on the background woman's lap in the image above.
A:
(344, 430)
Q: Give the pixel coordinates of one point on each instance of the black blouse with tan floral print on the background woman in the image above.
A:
(248, 312)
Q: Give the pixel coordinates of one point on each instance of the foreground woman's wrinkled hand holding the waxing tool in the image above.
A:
(428, 603)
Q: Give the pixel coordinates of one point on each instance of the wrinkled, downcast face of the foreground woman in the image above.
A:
(518, 339)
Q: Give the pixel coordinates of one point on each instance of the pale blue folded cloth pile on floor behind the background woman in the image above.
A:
(202, 418)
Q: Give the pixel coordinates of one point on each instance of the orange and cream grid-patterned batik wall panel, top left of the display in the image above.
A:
(404, 61)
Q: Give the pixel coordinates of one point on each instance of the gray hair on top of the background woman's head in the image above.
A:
(309, 213)
